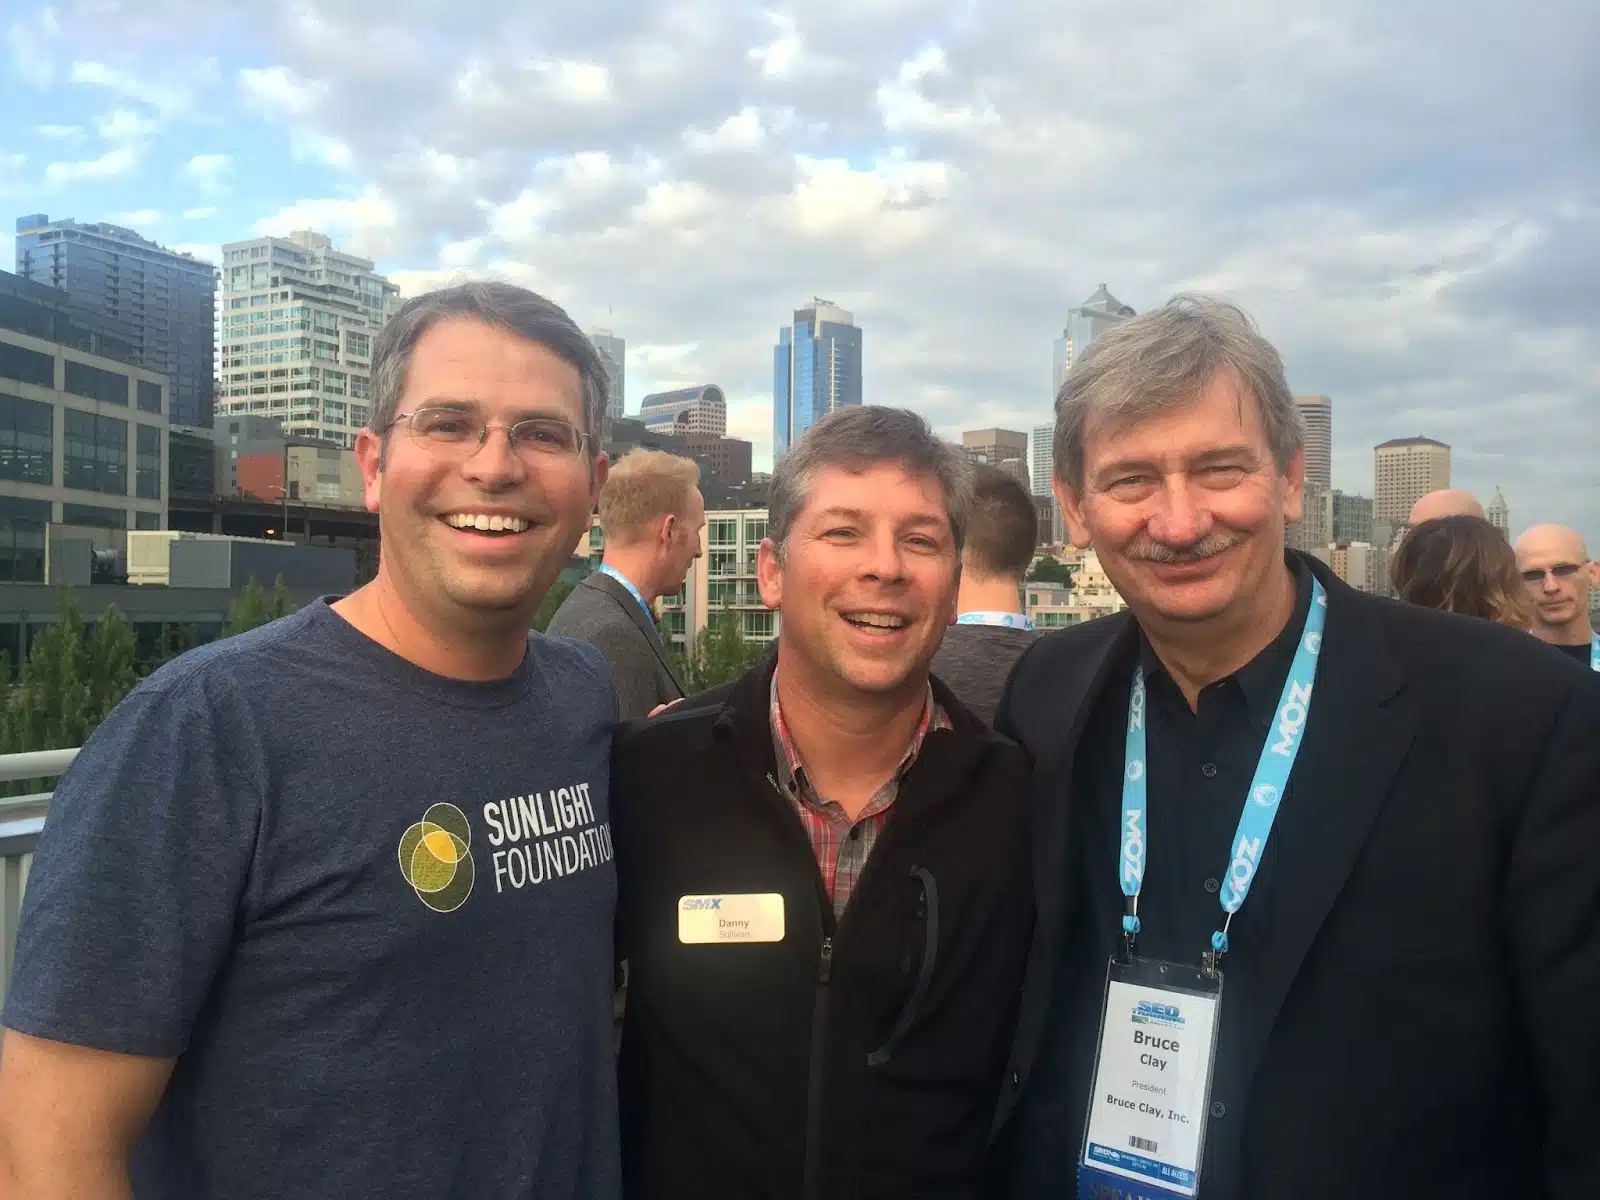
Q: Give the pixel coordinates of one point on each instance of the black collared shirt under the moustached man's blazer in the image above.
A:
(1201, 766)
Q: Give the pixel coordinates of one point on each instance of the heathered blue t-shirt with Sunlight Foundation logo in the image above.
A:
(367, 908)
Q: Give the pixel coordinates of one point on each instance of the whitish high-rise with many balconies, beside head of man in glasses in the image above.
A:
(295, 334)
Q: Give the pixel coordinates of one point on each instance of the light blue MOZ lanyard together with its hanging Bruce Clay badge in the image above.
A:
(1151, 1097)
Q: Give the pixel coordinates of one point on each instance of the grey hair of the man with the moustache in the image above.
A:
(1164, 361)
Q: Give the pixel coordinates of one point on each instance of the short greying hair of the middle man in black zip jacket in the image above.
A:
(855, 439)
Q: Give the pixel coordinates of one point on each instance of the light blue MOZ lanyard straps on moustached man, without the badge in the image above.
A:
(1262, 802)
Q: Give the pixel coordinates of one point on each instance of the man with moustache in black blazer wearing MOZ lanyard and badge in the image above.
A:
(1409, 802)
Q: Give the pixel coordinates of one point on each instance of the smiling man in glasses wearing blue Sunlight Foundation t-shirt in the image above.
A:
(326, 910)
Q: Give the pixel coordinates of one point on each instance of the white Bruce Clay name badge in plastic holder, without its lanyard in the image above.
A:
(1153, 1082)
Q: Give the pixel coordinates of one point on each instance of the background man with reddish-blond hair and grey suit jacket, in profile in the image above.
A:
(652, 514)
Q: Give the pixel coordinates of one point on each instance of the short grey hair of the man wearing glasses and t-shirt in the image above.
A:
(505, 306)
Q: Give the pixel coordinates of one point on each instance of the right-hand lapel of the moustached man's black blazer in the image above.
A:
(1361, 729)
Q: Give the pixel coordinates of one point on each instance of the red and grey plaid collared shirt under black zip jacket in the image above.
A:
(842, 846)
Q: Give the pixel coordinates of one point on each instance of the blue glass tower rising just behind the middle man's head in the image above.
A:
(817, 369)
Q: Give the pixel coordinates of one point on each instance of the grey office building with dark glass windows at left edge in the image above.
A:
(84, 438)
